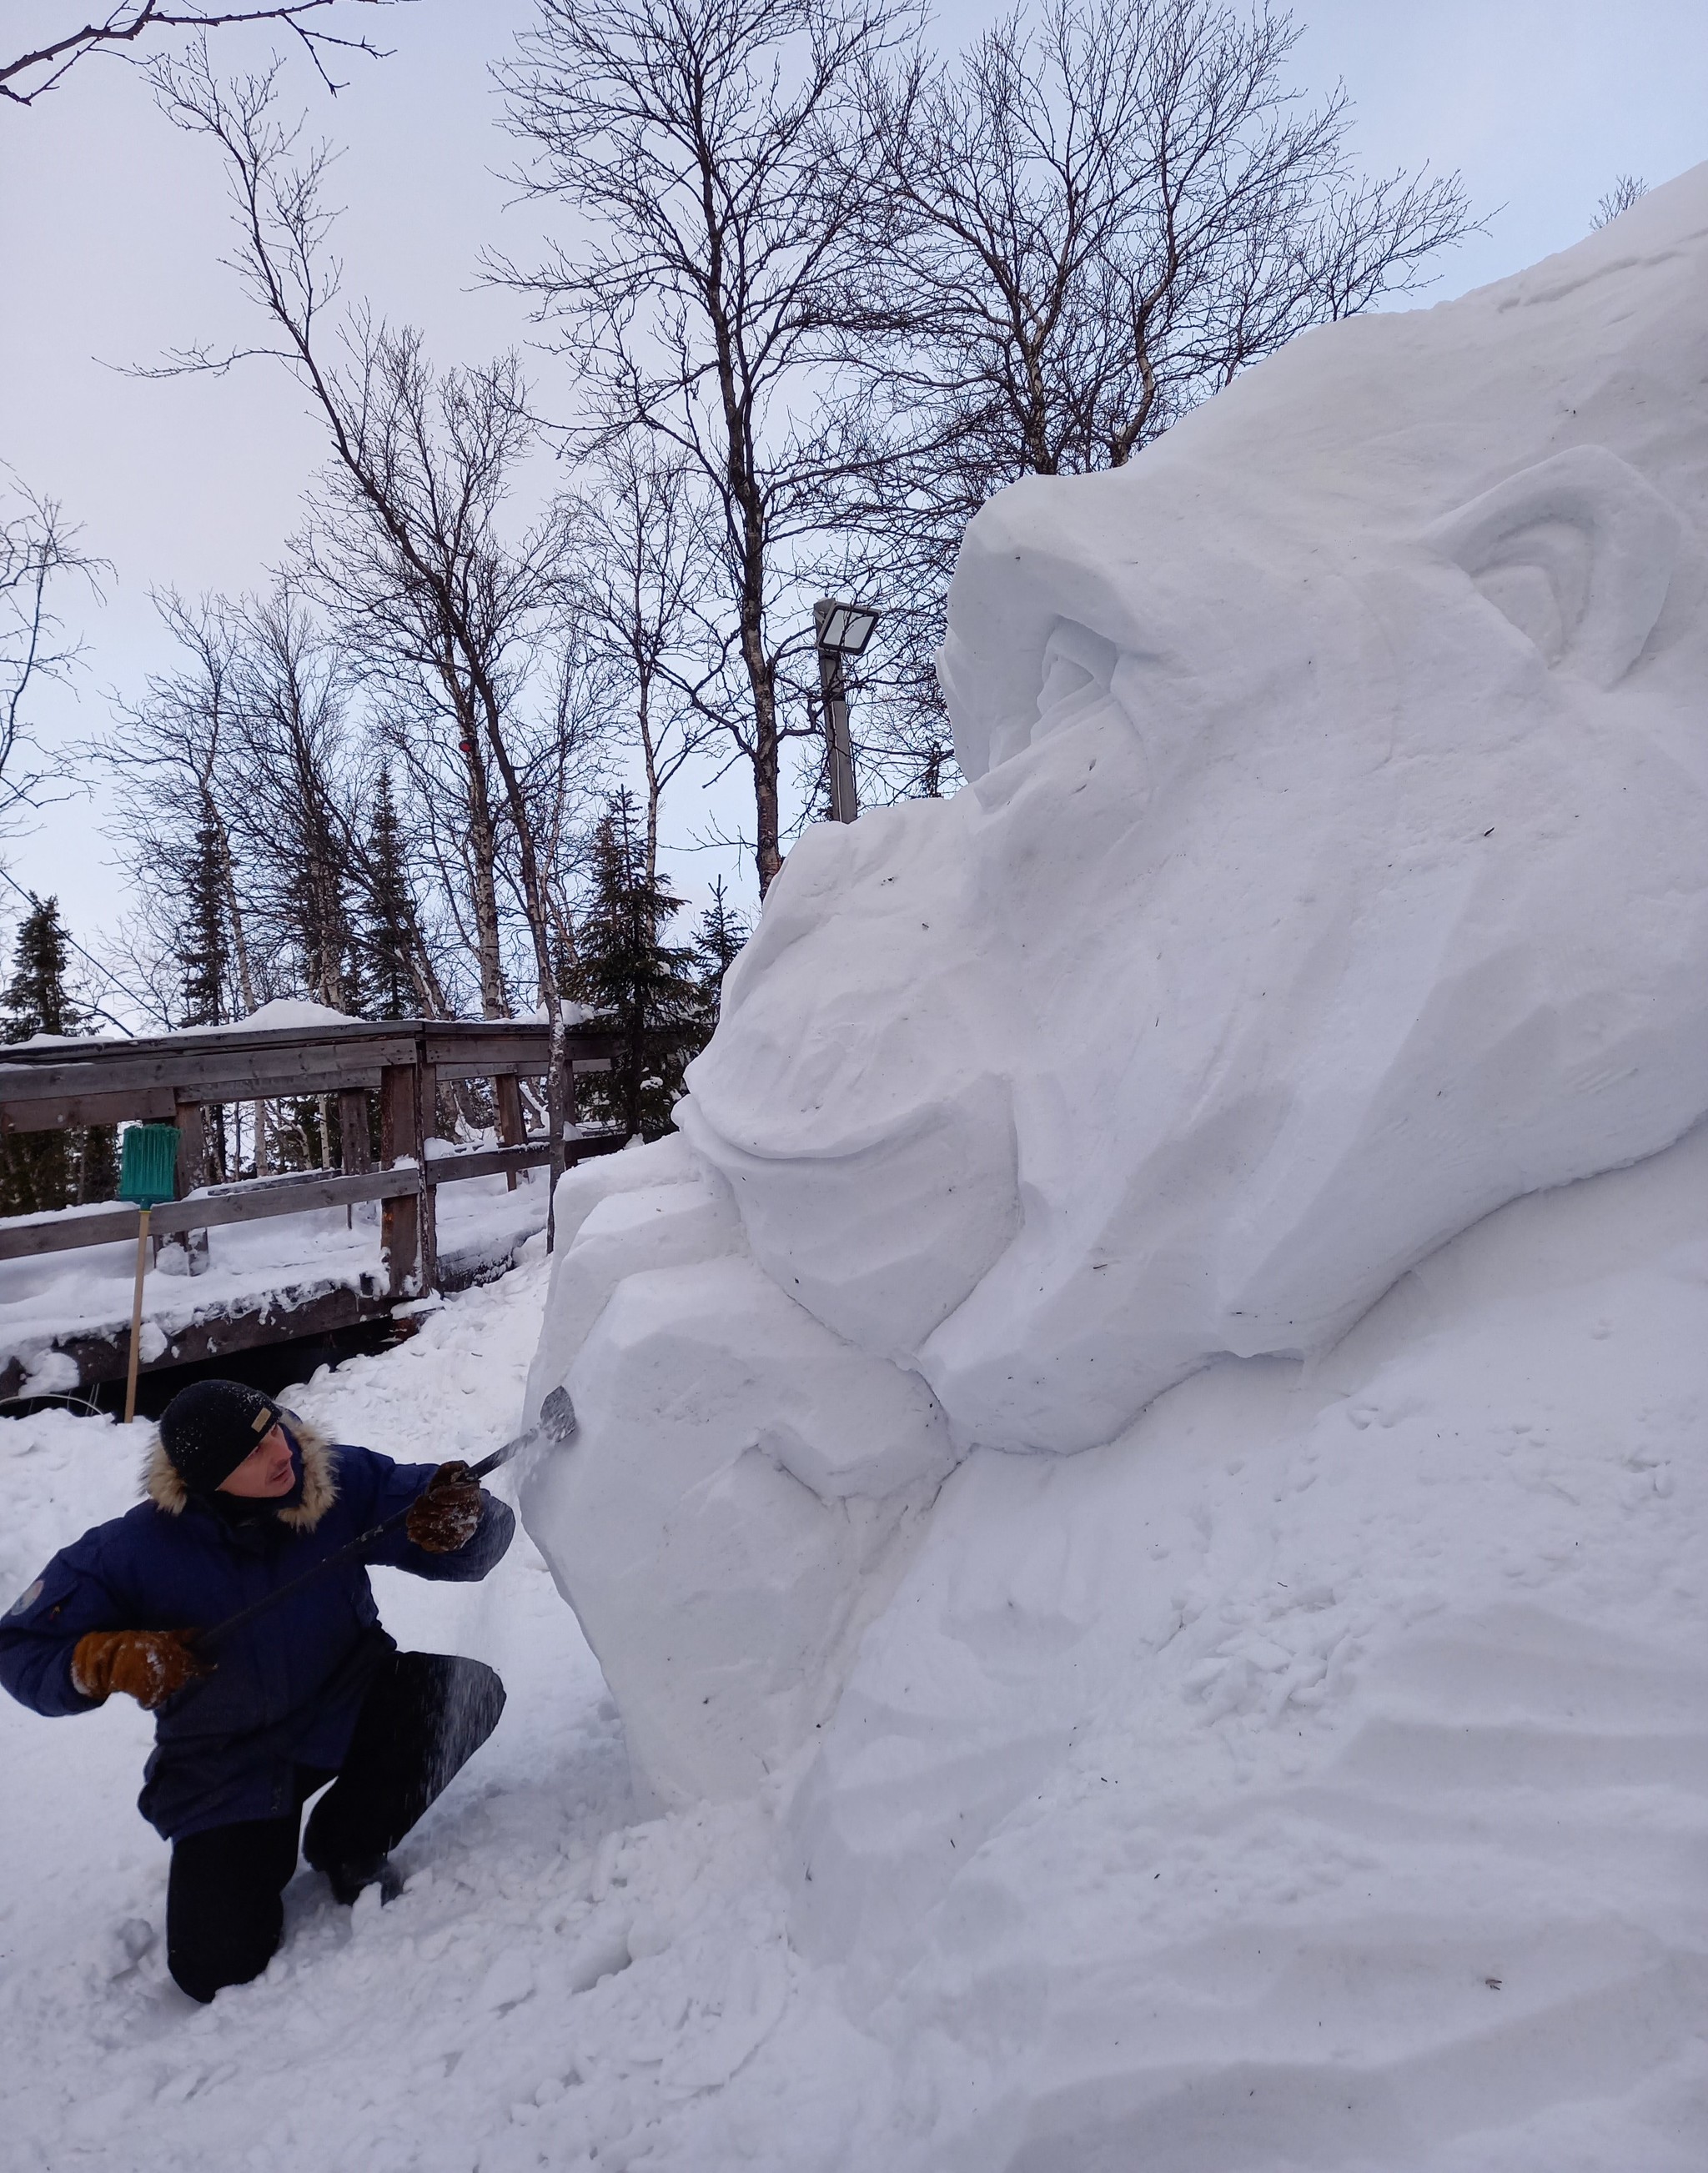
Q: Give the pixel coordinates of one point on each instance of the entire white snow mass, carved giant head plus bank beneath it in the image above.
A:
(1153, 1405)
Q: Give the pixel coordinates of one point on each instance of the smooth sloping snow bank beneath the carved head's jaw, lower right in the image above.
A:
(1314, 1776)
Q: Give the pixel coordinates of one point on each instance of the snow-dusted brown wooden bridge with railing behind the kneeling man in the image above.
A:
(177, 1079)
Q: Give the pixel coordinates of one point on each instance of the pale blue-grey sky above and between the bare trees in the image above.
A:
(114, 229)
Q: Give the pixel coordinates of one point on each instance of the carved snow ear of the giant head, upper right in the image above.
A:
(1579, 553)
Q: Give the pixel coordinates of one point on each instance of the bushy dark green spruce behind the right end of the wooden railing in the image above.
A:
(638, 988)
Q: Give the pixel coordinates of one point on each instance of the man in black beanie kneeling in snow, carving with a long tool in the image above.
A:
(244, 1498)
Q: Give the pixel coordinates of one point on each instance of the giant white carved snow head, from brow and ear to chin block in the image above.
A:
(1331, 872)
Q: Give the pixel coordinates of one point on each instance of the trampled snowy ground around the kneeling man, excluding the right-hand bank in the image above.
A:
(555, 1981)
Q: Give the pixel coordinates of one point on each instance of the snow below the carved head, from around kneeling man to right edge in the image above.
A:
(1314, 1779)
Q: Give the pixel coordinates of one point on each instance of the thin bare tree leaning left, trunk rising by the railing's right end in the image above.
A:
(407, 533)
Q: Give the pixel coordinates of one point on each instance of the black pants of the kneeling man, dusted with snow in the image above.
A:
(423, 1718)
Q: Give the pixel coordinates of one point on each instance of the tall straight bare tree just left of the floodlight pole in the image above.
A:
(705, 310)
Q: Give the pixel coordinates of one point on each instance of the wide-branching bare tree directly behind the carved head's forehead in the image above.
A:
(1092, 221)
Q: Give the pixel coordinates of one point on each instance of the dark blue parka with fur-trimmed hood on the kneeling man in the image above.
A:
(288, 1687)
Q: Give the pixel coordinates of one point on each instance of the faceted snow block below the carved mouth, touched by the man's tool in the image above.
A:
(738, 1479)
